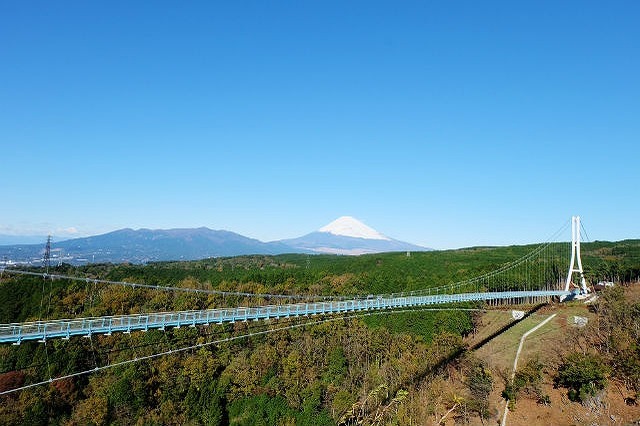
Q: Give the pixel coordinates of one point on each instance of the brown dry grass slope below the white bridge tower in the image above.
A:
(547, 345)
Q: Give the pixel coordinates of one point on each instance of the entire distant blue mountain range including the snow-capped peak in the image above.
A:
(345, 235)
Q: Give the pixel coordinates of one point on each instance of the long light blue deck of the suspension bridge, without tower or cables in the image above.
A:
(65, 328)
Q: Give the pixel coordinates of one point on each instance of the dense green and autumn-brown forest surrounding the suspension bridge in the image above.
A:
(369, 368)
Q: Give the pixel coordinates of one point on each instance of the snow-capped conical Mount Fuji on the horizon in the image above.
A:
(347, 235)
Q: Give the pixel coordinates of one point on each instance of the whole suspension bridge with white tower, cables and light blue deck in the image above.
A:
(532, 278)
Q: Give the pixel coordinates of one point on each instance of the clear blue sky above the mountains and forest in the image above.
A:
(446, 124)
